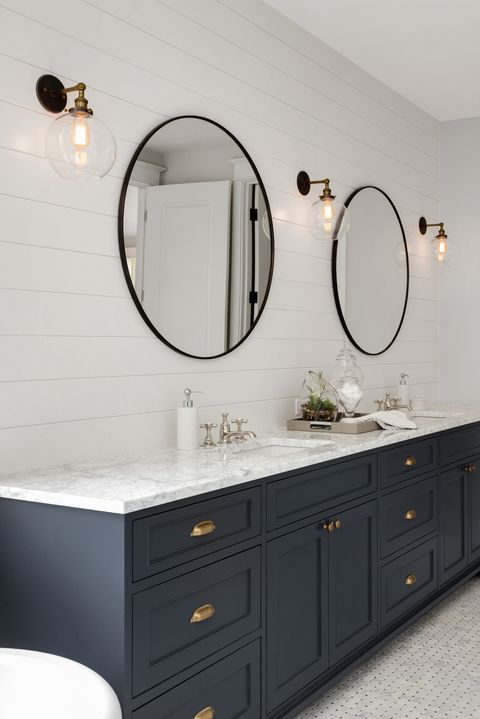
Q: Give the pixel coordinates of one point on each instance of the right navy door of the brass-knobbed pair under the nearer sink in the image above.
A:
(352, 550)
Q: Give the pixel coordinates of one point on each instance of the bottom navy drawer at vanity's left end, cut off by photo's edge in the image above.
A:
(229, 689)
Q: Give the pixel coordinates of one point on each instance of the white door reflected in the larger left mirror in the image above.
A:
(185, 272)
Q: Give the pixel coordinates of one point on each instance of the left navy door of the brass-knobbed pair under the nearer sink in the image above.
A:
(297, 612)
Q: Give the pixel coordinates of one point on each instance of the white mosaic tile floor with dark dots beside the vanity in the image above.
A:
(431, 671)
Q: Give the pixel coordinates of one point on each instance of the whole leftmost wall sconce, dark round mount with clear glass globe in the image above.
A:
(78, 146)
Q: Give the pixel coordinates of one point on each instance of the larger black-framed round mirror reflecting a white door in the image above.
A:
(196, 237)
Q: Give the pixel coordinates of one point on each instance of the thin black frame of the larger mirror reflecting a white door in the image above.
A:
(121, 237)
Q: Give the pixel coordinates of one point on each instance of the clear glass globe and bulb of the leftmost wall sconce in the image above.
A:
(78, 146)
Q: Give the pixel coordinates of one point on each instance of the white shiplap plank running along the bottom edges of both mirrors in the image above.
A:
(67, 357)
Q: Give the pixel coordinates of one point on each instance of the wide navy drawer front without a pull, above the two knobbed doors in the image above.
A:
(311, 492)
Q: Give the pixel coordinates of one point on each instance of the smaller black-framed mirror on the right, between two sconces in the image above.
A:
(370, 272)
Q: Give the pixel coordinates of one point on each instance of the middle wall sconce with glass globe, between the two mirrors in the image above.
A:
(332, 218)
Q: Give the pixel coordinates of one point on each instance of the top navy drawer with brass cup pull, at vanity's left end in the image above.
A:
(171, 538)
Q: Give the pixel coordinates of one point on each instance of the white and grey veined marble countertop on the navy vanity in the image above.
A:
(137, 481)
